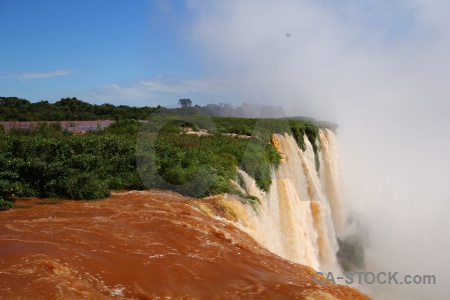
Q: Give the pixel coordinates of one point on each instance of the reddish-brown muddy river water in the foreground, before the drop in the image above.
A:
(141, 245)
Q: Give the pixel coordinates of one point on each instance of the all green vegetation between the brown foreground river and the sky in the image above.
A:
(47, 161)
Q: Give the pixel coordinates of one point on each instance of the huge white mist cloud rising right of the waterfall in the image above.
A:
(380, 70)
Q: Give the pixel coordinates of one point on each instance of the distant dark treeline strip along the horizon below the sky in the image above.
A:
(73, 109)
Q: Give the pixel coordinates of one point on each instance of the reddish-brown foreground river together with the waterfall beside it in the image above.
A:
(158, 244)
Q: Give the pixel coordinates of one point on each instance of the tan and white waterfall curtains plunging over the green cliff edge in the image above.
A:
(302, 212)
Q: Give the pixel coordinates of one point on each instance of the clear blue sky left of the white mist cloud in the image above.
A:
(54, 49)
